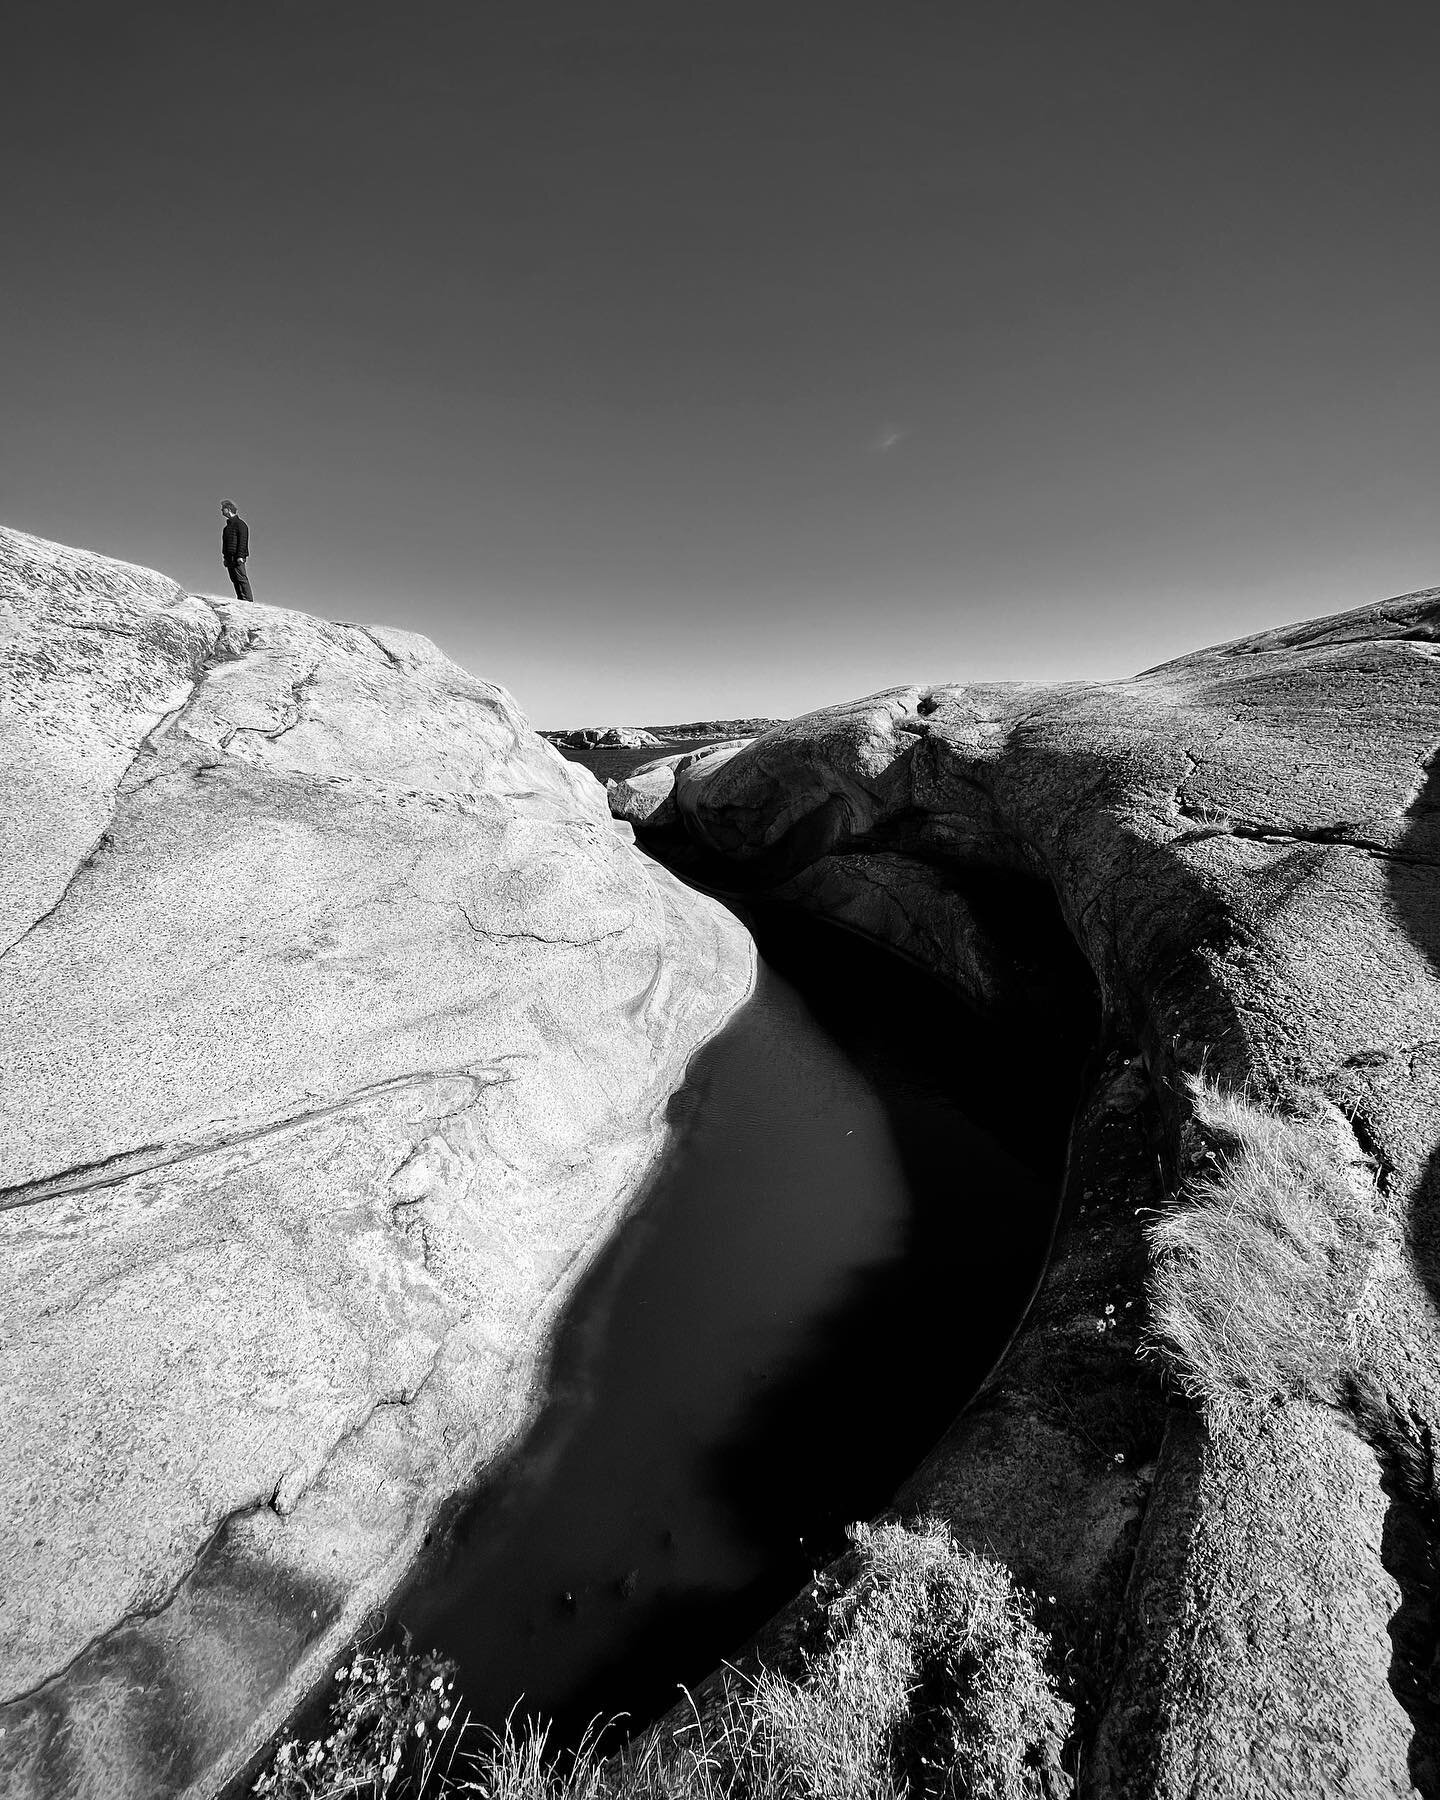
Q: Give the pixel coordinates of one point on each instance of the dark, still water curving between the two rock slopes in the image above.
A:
(841, 1239)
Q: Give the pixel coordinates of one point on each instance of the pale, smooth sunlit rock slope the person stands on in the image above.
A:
(339, 1027)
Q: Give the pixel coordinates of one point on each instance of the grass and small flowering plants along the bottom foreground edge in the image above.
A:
(926, 1678)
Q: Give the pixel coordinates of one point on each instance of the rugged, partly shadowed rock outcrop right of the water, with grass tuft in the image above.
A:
(1245, 845)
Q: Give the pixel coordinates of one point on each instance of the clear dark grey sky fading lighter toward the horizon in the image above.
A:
(678, 361)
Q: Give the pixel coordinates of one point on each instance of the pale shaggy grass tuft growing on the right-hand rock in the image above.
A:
(1259, 1263)
